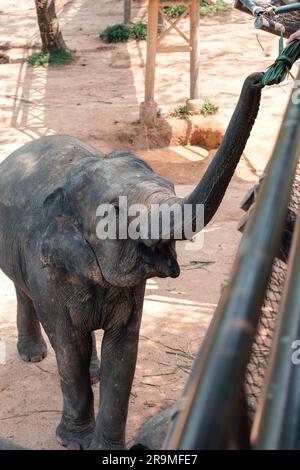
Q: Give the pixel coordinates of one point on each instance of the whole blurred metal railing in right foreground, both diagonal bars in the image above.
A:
(212, 413)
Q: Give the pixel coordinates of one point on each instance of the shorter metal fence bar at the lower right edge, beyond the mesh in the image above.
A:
(277, 422)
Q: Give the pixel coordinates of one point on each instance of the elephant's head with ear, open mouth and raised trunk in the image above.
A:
(71, 241)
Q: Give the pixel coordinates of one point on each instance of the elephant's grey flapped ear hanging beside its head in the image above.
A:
(63, 245)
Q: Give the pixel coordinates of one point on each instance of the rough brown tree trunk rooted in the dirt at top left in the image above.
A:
(52, 40)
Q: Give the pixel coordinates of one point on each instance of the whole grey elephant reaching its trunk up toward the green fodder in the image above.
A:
(73, 283)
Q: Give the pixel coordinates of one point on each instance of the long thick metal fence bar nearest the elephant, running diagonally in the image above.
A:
(212, 412)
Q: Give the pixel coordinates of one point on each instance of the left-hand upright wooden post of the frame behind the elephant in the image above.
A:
(148, 109)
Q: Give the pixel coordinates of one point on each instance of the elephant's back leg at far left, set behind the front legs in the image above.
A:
(31, 345)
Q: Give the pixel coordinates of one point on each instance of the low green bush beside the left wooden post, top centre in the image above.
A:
(123, 33)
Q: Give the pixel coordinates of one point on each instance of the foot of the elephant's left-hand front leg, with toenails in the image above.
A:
(78, 438)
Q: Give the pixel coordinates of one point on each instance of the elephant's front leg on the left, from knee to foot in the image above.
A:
(73, 352)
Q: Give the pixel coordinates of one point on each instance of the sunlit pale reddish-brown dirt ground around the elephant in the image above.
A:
(96, 99)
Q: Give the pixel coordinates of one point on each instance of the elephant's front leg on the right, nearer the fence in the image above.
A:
(118, 360)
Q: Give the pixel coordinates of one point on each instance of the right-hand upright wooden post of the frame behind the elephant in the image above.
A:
(194, 100)
